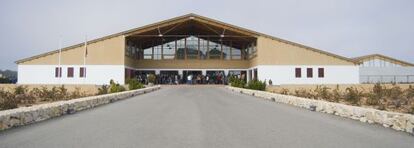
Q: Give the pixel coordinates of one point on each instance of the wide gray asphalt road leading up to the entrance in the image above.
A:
(201, 116)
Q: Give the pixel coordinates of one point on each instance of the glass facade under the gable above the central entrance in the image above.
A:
(190, 47)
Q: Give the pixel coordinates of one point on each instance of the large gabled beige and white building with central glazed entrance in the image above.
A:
(189, 44)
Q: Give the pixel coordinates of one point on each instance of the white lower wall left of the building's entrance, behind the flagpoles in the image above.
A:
(95, 74)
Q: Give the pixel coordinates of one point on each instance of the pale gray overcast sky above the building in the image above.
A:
(346, 27)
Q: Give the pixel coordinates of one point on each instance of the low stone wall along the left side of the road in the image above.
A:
(27, 115)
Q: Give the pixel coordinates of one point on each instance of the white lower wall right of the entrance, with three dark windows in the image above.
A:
(285, 74)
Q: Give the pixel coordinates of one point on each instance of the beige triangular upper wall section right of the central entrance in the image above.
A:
(274, 52)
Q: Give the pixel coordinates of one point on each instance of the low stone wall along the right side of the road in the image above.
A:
(397, 121)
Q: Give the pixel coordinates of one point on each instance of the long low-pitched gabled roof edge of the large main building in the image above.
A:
(184, 18)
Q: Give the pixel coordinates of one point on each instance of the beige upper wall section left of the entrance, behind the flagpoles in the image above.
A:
(105, 52)
